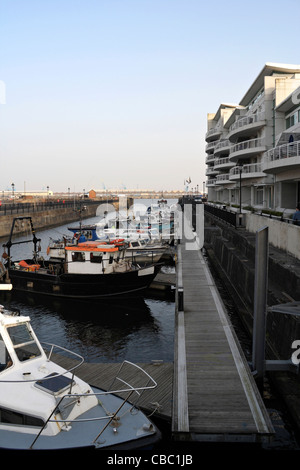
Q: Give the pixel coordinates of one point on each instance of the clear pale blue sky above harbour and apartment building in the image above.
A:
(102, 94)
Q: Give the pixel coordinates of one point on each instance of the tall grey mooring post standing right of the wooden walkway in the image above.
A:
(260, 303)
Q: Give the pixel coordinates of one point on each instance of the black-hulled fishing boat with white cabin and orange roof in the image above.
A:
(88, 270)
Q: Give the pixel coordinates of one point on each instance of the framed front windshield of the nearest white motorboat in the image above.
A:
(23, 342)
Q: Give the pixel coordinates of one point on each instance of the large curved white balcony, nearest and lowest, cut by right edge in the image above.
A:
(281, 158)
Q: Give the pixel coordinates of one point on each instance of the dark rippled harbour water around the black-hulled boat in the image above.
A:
(138, 329)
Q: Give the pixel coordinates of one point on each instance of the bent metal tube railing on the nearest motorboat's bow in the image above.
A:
(127, 389)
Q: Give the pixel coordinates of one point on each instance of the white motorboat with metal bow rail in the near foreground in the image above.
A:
(45, 407)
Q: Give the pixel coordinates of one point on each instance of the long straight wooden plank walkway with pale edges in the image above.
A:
(214, 394)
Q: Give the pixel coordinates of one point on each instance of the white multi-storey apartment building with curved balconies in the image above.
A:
(253, 148)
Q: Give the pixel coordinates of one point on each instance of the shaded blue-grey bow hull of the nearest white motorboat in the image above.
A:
(129, 435)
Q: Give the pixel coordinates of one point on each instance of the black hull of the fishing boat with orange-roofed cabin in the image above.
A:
(83, 286)
